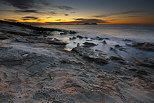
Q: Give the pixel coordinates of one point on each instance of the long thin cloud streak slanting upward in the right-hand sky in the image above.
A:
(120, 13)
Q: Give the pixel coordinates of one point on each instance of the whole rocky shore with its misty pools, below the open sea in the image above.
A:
(42, 65)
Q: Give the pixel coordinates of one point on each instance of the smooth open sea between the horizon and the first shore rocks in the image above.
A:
(142, 33)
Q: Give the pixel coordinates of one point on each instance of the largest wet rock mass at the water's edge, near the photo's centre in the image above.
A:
(90, 55)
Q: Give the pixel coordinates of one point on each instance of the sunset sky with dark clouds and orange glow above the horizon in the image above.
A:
(78, 11)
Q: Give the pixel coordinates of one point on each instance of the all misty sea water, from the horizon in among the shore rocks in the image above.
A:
(113, 35)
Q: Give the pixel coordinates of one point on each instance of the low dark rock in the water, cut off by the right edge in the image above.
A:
(143, 46)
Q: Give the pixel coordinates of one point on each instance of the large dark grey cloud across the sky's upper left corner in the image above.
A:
(25, 5)
